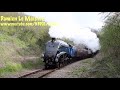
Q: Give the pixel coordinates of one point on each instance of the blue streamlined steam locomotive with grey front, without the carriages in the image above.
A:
(58, 52)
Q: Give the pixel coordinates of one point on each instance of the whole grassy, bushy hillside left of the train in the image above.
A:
(19, 42)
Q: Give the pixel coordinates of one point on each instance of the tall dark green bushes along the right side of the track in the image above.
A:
(109, 64)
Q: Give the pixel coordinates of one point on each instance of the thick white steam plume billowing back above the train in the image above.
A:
(77, 35)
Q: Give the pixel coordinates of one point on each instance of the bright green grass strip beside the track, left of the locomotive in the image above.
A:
(12, 67)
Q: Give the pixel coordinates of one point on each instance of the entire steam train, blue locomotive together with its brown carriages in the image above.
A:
(58, 53)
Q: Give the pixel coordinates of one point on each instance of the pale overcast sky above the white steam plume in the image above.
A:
(82, 19)
